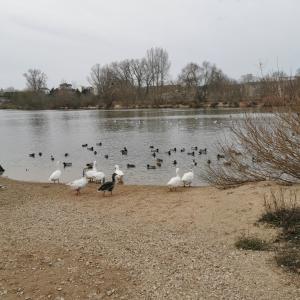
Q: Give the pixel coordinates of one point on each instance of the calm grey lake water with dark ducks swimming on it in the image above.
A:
(57, 132)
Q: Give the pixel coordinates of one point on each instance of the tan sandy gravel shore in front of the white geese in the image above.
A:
(142, 243)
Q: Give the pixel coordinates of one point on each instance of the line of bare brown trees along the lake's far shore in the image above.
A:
(145, 82)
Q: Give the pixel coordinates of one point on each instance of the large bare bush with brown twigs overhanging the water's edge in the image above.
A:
(262, 147)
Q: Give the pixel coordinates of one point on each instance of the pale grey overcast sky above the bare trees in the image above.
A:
(64, 38)
